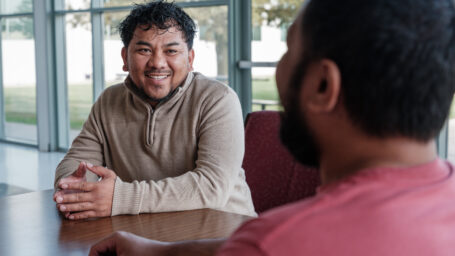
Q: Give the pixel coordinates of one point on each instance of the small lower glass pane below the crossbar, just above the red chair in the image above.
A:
(265, 93)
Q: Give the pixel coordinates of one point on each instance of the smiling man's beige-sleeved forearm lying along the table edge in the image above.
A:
(187, 192)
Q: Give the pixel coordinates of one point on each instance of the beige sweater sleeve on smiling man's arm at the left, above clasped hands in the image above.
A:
(87, 146)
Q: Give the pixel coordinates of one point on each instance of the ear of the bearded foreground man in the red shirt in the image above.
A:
(322, 86)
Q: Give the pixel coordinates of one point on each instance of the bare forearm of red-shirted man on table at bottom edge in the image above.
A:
(204, 247)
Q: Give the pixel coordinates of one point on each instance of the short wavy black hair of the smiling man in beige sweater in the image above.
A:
(160, 14)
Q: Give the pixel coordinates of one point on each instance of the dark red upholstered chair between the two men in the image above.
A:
(274, 176)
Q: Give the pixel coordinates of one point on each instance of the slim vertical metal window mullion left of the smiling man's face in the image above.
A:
(97, 50)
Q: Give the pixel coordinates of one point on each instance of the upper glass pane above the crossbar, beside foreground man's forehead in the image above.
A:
(271, 18)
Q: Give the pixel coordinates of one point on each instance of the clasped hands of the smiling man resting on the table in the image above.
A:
(79, 199)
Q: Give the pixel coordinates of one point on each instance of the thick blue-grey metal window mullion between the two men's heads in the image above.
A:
(239, 15)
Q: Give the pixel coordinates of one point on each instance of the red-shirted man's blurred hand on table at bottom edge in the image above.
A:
(123, 243)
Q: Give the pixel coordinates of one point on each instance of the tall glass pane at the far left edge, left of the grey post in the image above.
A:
(19, 80)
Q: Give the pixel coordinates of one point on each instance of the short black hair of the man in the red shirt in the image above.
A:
(396, 59)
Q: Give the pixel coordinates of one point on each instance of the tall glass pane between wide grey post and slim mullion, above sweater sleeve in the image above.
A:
(79, 69)
